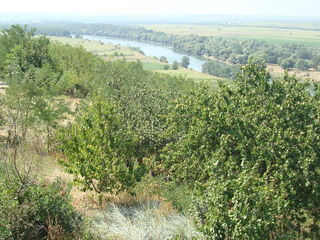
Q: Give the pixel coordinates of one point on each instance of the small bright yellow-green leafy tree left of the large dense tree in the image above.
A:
(99, 149)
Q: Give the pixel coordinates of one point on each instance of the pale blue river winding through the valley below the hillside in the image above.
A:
(152, 49)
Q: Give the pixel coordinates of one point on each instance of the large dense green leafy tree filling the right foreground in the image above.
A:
(250, 154)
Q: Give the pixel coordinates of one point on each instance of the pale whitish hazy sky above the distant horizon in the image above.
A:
(160, 7)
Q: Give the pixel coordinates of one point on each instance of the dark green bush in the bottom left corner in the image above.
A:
(36, 211)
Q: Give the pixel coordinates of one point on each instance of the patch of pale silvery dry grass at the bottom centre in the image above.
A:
(143, 221)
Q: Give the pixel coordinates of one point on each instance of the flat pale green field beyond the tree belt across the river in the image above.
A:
(303, 35)
